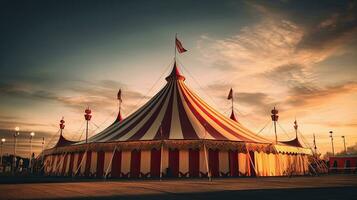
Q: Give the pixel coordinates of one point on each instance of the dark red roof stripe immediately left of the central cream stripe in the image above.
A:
(166, 121)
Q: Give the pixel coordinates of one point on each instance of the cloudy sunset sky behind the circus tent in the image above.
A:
(57, 57)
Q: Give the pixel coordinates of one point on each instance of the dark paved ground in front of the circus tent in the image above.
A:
(323, 187)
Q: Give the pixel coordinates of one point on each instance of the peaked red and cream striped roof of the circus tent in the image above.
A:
(180, 114)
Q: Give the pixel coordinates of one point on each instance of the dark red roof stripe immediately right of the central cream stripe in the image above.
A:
(187, 130)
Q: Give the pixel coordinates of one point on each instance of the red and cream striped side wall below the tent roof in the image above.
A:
(175, 163)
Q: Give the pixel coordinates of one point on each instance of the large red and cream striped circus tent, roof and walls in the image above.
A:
(176, 134)
